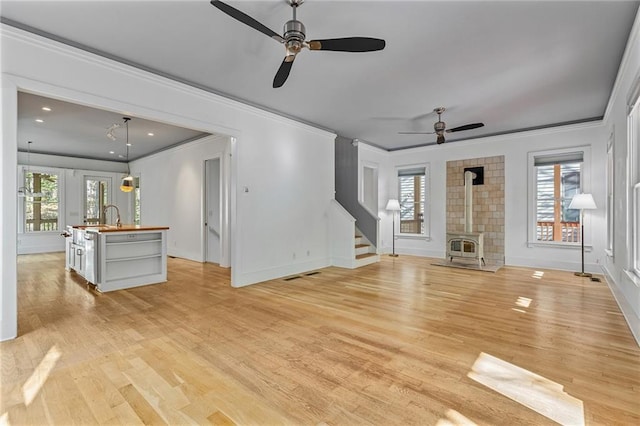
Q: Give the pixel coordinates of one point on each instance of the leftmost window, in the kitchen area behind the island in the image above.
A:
(41, 202)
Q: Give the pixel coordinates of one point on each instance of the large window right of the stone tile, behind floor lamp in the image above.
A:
(556, 176)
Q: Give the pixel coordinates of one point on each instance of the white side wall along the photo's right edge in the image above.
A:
(624, 287)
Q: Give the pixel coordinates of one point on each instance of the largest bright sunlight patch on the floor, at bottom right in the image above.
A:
(538, 393)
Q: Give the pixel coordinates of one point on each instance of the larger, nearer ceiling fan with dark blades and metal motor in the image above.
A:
(294, 38)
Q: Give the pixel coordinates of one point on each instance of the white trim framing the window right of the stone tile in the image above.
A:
(585, 186)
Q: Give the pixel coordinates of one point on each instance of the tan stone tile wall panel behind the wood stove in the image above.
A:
(488, 203)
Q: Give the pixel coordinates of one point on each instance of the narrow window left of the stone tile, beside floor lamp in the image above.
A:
(412, 189)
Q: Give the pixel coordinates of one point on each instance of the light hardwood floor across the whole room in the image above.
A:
(398, 342)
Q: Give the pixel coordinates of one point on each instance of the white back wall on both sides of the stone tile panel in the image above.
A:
(515, 148)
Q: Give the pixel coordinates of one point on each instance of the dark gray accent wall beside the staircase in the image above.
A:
(347, 188)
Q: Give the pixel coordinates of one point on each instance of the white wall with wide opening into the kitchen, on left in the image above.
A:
(279, 225)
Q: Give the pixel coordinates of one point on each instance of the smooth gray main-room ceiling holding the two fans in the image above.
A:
(513, 65)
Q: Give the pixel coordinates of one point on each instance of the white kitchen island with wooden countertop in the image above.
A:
(117, 257)
